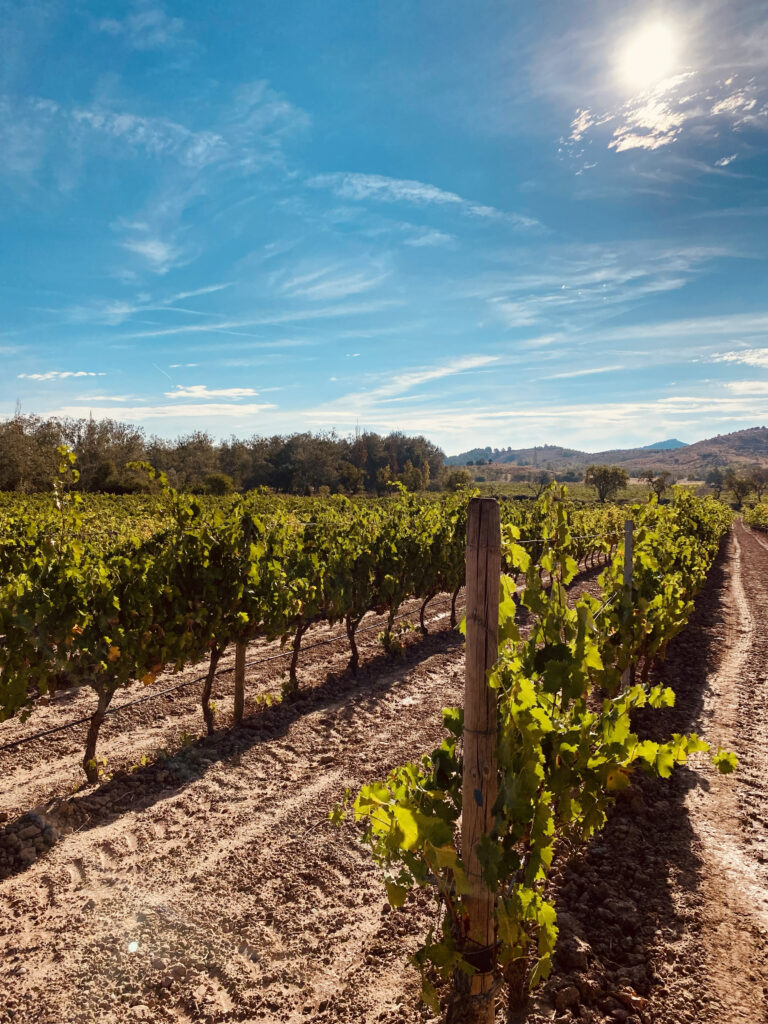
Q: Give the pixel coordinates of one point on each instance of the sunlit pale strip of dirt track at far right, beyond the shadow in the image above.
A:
(734, 882)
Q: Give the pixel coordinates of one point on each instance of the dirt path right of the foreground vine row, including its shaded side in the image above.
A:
(665, 919)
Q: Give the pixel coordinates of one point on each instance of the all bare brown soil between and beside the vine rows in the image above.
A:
(201, 882)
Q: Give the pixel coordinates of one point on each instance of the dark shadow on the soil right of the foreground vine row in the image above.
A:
(617, 906)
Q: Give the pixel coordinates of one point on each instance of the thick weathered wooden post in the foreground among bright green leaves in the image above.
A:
(481, 774)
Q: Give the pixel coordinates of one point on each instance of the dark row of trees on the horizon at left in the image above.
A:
(301, 463)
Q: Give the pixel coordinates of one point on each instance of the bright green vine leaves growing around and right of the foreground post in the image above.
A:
(566, 741)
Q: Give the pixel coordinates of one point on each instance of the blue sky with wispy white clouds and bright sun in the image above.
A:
(493, 224)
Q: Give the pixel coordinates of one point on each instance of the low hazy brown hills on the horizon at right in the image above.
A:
(693, 461)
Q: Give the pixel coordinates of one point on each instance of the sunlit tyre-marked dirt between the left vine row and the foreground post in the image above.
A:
(233, 889)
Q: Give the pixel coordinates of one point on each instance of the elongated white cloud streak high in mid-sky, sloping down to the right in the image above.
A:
(385, 190)
